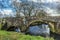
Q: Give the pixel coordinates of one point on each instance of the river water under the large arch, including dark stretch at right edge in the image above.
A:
(43, 30)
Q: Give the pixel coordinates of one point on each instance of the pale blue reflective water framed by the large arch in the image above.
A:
(42, 29)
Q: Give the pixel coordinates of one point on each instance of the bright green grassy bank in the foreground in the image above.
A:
(4, 35)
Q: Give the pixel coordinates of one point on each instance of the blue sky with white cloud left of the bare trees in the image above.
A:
(6, 8)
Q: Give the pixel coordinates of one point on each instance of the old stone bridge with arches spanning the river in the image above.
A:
(53, 22)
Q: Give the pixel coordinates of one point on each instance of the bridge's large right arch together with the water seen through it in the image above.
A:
(39, 27)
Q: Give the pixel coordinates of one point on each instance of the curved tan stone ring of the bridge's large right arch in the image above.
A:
(51, 24)
